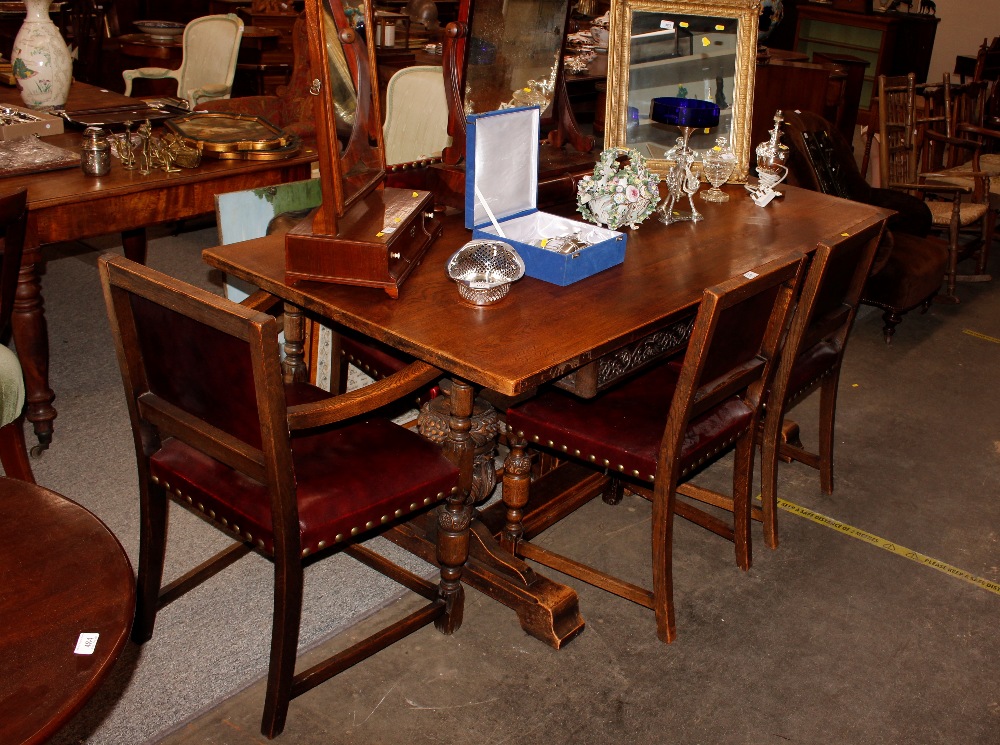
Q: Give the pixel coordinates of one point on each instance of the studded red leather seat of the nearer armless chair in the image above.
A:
(622, 427)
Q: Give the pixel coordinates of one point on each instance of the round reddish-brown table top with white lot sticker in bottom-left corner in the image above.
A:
(62, 574)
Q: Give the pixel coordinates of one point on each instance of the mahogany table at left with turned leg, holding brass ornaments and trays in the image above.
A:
(66, 205)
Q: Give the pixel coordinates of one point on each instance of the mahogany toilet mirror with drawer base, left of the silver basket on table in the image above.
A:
(363, 233)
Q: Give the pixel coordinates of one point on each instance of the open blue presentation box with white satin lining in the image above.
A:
(502, 179)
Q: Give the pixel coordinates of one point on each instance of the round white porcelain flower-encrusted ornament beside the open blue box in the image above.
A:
(618, 194)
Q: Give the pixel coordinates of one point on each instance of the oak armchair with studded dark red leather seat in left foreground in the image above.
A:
(285, 470)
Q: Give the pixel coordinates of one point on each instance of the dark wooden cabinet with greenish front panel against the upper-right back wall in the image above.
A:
(891, 43)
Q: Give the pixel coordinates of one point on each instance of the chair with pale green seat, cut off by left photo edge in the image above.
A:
(13, 451)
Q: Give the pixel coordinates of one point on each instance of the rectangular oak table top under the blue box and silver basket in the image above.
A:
(541, 331)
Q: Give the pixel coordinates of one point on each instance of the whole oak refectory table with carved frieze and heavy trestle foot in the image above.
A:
(583, 337)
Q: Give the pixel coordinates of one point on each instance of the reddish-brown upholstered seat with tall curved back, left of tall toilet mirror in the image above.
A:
(291, 107)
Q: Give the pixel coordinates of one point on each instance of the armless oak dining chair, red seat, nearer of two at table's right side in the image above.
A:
(657, 429)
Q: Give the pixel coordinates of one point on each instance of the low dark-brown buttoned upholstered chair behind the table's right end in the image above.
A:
(911, 264)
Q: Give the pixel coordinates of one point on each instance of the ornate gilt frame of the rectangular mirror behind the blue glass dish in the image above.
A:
(746, 12)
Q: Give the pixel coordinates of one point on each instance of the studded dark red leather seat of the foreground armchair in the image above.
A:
(330, 510)
